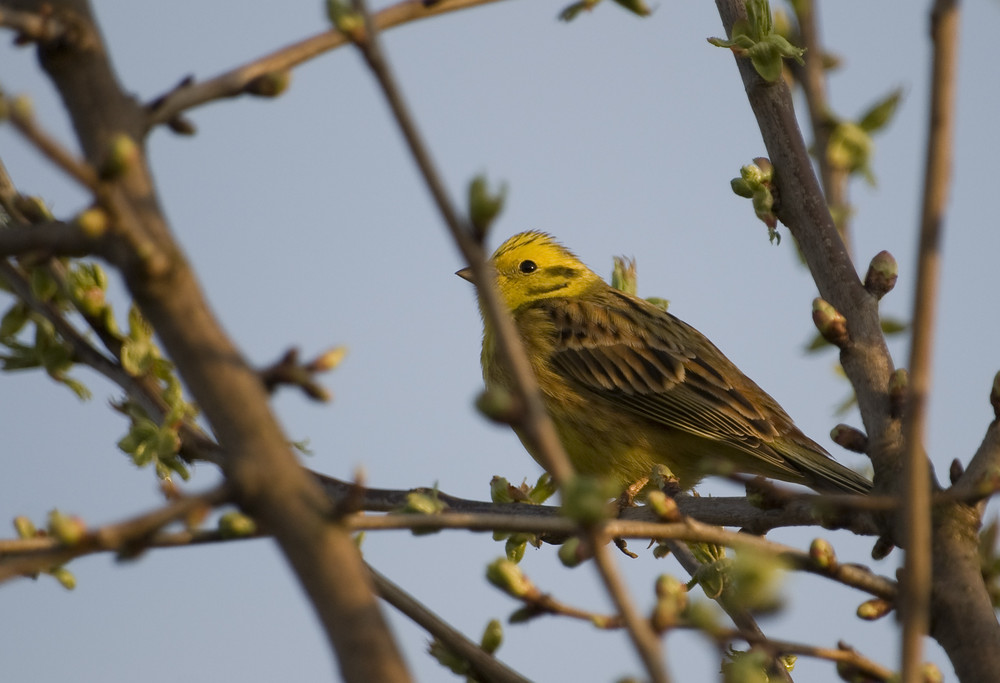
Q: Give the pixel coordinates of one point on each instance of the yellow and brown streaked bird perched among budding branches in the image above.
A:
(628, 385)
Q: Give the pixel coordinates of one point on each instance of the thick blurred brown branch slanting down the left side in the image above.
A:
(265, 476)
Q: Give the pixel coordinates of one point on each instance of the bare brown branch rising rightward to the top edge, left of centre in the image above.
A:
(190, 94)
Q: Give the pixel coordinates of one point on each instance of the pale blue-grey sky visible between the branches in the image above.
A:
(309, 226)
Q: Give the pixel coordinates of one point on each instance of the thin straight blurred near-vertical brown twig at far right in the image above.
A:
(916, 585)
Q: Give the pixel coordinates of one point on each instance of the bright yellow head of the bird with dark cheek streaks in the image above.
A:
(531, 266)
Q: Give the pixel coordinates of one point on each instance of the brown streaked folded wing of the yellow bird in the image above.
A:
(656, 366)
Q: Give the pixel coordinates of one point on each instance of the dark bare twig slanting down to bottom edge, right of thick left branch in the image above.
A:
(485, 666)
